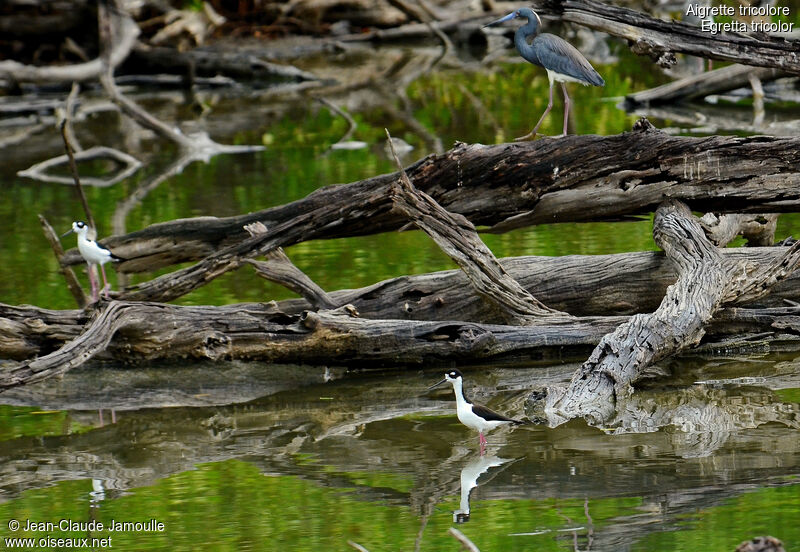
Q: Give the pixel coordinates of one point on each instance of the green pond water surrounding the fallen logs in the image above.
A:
(253, 457)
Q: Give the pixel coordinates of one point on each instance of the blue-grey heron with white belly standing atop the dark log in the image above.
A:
(564, 63)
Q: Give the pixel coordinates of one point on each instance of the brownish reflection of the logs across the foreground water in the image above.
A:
(295, 433)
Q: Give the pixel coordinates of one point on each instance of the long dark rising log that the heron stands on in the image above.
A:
(508, 186)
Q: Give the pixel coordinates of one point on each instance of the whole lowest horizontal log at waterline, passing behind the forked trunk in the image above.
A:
(141, 332)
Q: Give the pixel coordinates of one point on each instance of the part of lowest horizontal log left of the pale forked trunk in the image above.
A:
(147, 331)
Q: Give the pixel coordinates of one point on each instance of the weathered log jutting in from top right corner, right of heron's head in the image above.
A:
(659, 39)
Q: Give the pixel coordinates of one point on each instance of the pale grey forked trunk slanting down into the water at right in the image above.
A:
(705, 283)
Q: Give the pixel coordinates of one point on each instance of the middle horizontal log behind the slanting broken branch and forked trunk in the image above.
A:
(587, 285)
